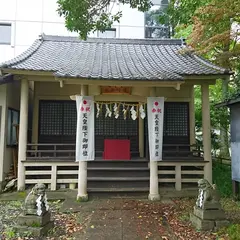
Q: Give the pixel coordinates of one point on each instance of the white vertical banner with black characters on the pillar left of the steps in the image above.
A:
(85, 144)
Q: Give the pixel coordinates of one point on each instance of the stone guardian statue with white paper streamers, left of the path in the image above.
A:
(36, 201)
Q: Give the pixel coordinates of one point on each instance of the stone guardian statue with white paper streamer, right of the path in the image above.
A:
(207, 194)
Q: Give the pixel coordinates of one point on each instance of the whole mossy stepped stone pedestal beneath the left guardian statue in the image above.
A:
(36, 226)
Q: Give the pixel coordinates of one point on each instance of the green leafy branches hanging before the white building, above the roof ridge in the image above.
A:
(85, 16)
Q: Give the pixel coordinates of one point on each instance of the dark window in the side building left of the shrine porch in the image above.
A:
(13, 120)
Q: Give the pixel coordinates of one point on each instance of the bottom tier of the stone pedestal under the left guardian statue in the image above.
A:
(34, 231)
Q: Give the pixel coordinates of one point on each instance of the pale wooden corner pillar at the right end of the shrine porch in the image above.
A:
(206, 125)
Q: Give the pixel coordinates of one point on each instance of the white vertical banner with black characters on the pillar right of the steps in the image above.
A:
(155, 108)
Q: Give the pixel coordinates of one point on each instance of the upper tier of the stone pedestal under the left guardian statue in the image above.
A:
(34, 221)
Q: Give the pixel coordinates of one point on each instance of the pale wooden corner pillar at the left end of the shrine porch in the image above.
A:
(23, 133)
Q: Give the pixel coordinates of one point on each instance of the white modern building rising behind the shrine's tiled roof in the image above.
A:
(21, 21)
